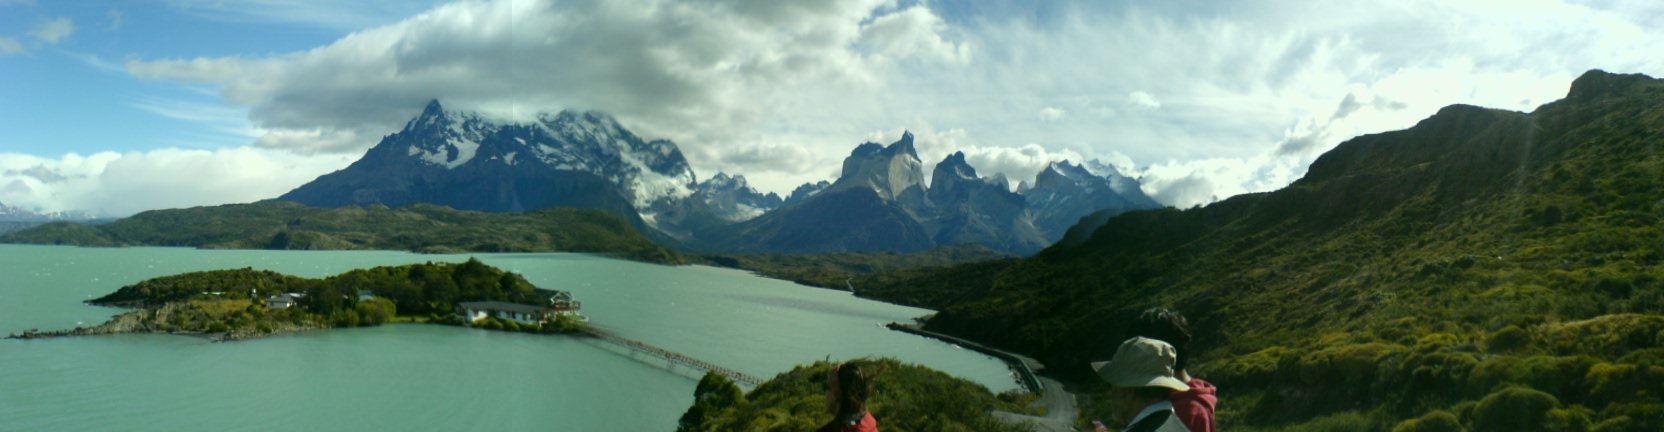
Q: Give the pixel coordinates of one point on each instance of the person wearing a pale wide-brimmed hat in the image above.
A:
(1144, 383)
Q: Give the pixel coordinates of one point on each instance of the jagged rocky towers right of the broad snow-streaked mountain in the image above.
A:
(883, 204)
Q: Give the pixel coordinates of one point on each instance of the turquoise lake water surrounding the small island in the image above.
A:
(417, 376)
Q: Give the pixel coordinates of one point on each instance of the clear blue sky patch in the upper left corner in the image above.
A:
(76, 94)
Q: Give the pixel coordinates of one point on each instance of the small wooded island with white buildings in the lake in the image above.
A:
(235, 305)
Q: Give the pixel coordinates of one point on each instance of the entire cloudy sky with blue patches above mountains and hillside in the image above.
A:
(121, 107)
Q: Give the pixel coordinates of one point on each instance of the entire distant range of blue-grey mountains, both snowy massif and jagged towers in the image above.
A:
(588, 160)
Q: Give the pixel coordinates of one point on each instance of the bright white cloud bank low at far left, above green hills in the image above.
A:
(124, 184)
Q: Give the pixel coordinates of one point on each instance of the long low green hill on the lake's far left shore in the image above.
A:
(423, 228)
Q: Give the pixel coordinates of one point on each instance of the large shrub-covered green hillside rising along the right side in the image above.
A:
(1410, 273)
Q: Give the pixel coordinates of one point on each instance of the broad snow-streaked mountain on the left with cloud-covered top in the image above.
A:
(500, 164)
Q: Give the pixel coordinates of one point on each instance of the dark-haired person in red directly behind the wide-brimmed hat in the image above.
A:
(1196, 406)
